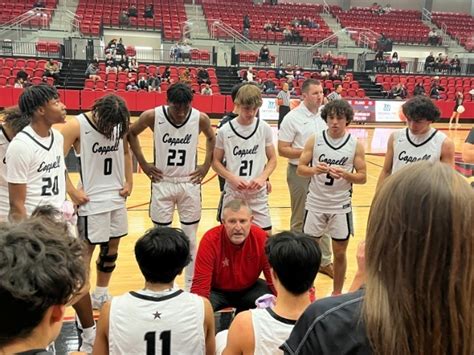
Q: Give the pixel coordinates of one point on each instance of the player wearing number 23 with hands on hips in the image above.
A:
(176, 179)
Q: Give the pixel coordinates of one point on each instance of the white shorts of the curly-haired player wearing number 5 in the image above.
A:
(338, 226)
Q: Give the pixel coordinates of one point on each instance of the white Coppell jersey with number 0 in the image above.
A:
(102, 169)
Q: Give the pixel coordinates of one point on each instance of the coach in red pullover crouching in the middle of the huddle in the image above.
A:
(230, 259)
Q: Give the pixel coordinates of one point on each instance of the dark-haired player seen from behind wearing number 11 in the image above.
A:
(159, 319)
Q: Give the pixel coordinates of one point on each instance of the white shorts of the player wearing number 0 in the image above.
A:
(101, 227)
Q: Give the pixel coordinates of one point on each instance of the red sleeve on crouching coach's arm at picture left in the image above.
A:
(204, 268)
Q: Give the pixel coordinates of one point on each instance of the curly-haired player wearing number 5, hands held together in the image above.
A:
(329, 158)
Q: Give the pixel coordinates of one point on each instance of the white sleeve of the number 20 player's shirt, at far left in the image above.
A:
(17, 160)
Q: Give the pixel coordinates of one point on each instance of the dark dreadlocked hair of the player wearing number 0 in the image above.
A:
(111, 112)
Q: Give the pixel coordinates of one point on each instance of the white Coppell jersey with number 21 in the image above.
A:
(245, 154)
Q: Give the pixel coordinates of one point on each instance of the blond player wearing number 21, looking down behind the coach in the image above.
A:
(246, 144)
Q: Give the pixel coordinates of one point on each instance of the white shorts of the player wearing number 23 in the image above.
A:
(165, 195)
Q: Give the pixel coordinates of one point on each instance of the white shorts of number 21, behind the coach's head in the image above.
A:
(258, 203)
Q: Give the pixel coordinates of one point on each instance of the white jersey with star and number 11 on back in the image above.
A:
(143, 324)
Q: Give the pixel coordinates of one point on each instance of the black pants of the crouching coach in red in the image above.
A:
(241, 300)
